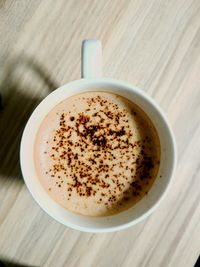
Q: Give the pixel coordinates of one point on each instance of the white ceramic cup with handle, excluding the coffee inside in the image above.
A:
(93, 81)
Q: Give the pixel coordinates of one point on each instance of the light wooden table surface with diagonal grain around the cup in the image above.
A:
(152, 44)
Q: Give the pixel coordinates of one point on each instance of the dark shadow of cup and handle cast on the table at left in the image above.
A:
(19, 97)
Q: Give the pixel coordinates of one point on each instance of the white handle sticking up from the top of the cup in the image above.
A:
(91, 59)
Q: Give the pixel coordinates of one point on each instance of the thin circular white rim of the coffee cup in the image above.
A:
(107, 81)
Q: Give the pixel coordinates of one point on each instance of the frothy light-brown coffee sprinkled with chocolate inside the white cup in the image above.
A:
(97, 153)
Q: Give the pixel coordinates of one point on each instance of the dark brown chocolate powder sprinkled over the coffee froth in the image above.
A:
(96, 153)
